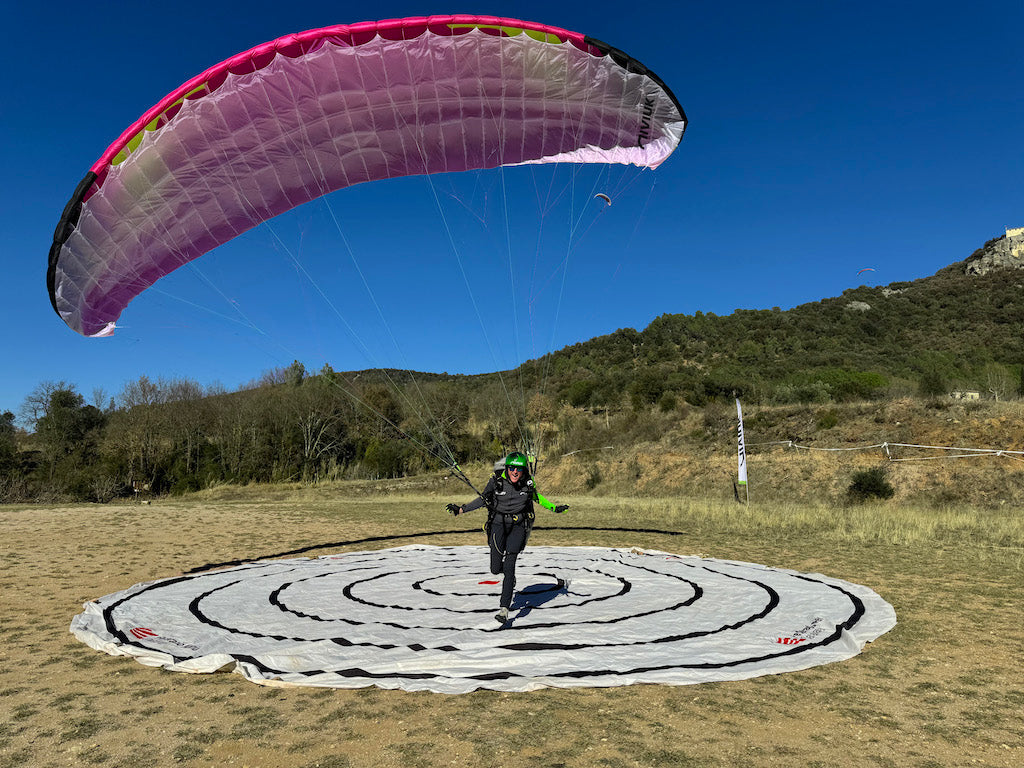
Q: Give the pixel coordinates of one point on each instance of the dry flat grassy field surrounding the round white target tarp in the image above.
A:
(944, 689)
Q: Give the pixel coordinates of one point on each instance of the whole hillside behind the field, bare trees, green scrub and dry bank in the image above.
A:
(647, 413)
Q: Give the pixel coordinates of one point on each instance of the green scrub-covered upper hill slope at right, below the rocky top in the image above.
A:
(959, 329)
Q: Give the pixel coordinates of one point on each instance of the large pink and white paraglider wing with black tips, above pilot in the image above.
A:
(308, 114)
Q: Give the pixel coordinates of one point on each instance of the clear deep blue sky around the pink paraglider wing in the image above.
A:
(824, 139)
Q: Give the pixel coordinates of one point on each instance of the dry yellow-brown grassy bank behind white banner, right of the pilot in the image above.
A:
(696, 457)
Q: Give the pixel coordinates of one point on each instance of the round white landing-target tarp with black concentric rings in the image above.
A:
(421, 618)
